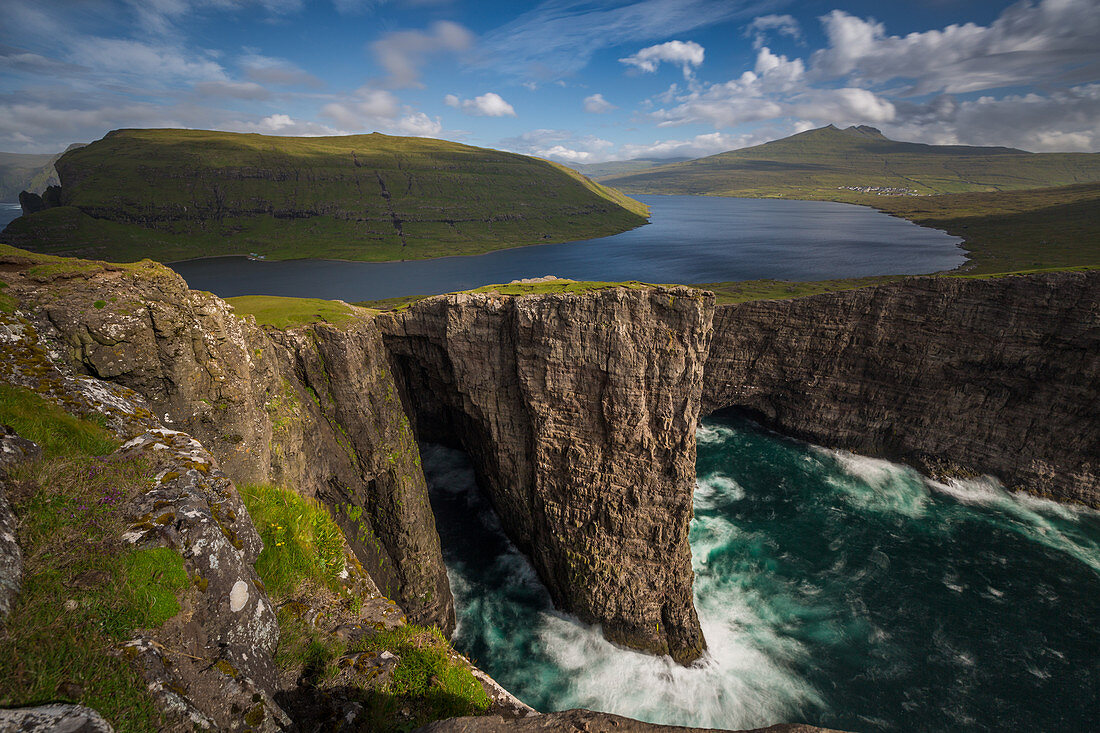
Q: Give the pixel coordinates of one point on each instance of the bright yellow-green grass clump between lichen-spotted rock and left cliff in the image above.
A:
(302, 542)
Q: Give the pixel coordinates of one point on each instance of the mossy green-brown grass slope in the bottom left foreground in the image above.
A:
(84, 592)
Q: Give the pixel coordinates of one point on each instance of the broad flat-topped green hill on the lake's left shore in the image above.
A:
(178, 194)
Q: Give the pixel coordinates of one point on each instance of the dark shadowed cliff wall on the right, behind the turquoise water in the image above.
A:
(996, 377)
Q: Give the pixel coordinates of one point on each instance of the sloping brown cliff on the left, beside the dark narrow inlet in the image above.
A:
(314, 410)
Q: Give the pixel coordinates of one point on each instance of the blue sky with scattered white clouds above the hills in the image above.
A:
(574, 81)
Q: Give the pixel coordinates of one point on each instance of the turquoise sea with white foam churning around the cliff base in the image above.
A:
(833, 589)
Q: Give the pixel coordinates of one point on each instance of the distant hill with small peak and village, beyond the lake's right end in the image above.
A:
(841, 165)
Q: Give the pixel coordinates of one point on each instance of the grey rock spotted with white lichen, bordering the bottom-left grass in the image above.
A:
(226, 622)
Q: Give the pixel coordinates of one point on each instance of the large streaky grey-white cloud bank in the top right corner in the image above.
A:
(1027, 45)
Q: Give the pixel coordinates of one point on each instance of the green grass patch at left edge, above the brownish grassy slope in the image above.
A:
(56, 431)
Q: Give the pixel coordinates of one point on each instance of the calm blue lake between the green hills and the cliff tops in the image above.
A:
(692, 239)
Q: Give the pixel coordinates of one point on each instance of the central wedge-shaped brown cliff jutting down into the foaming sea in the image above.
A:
(580, 414)
